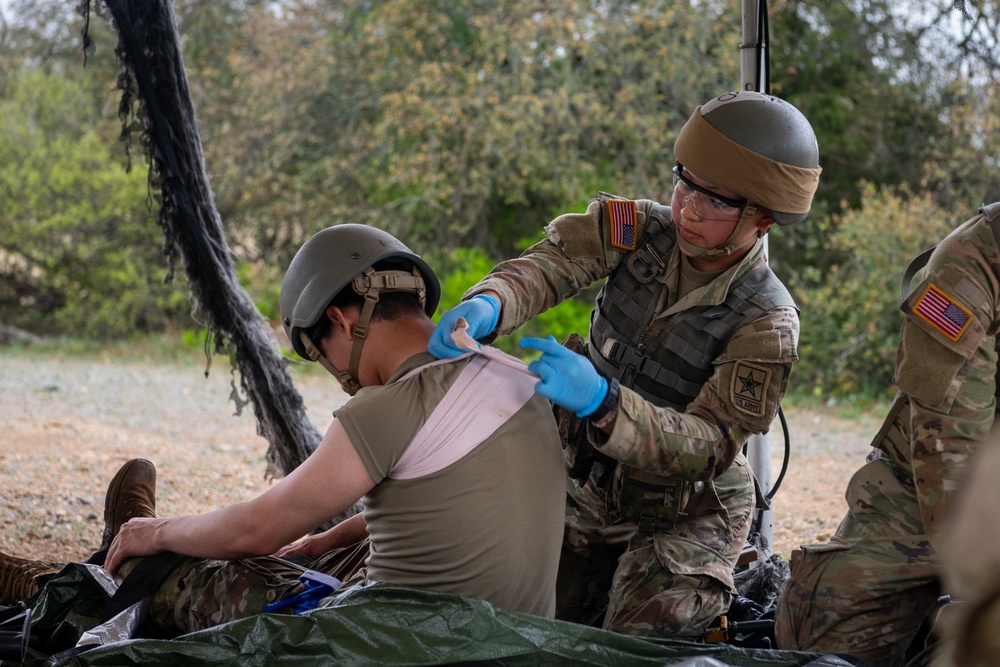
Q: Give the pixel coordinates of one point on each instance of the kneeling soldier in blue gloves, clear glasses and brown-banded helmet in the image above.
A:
(691, 344)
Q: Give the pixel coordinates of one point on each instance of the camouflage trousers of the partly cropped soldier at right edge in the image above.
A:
(866, 592)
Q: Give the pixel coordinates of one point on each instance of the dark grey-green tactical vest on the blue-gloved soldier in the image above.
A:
(667, 367)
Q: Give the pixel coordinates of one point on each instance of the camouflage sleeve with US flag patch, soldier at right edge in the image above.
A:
(947, 364)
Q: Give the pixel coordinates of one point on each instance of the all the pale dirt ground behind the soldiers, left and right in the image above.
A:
(67, 424)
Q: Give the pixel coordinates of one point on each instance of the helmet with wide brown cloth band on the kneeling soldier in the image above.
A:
(759, 146)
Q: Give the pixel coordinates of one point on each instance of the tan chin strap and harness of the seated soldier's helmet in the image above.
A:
(369, 285)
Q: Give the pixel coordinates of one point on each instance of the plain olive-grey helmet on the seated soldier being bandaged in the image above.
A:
(339, 256)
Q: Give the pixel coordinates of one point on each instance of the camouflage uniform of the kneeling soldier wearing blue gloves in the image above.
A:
(659, 522)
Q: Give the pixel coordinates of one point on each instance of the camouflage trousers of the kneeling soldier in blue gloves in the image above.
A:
(671, 582)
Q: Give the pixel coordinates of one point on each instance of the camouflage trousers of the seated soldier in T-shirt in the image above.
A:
(200, 594)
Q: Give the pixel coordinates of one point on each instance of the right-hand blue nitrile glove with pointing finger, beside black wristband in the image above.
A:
(568, 378)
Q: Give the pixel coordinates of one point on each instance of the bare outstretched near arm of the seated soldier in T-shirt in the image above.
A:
(326, 484)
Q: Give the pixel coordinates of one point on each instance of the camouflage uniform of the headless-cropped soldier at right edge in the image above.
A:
(866, 592)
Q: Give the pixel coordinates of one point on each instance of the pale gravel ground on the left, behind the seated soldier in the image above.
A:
(67, 424)
